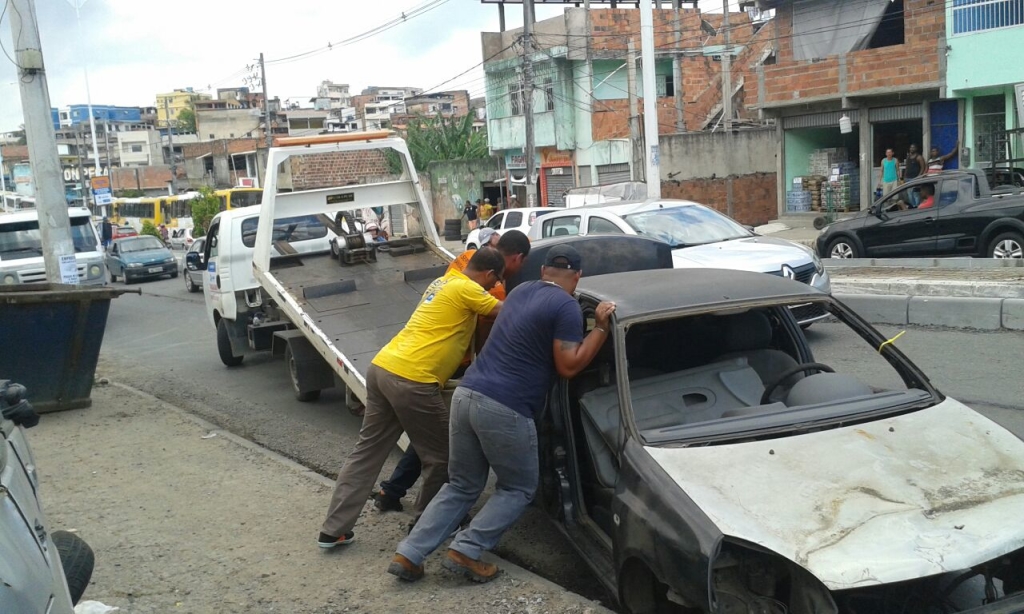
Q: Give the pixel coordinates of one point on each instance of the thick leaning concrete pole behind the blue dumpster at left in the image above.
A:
(55, 225)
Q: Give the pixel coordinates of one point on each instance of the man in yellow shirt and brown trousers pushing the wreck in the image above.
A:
(404, 390)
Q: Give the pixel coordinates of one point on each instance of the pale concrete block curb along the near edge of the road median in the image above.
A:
(954, 313)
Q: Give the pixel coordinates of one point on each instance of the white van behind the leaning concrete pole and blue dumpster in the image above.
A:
(22, 248)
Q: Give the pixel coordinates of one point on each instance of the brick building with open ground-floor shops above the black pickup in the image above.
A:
(880, 64)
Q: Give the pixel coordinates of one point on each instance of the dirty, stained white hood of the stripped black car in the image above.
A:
(928, 493)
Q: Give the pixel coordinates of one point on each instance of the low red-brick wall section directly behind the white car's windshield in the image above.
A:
(753, 196)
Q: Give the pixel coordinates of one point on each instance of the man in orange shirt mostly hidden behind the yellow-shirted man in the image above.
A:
(515, 247)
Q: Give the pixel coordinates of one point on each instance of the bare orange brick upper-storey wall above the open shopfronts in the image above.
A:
(914, 63)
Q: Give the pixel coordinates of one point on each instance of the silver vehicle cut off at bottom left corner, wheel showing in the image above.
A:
(40, 572)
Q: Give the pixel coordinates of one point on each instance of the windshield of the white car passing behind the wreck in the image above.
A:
(684, 227)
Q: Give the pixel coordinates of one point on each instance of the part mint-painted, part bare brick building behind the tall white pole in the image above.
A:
(581, 104)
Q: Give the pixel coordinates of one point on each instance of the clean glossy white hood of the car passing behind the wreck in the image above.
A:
(757, 254)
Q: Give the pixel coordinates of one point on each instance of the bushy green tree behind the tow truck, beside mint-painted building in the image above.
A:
(445, 139)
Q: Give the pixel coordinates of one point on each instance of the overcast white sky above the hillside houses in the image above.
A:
(138, 49)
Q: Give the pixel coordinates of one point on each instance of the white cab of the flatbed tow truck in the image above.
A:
(233, 295)
